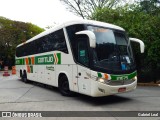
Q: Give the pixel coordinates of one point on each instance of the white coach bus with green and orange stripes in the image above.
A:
(82, 56)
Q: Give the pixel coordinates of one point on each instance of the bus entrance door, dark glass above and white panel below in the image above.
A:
(83, 66)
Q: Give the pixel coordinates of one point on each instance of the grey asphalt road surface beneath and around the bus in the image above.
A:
(18, 96)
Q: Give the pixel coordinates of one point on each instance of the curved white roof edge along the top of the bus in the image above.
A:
(80, 21)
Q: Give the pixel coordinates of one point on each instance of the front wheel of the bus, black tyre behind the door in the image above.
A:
(64, 86)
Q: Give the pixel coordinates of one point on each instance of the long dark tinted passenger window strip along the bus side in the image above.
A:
(51, 42)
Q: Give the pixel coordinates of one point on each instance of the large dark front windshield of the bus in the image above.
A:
(113, 51)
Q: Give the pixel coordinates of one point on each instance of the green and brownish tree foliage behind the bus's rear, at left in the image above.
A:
(13, 33)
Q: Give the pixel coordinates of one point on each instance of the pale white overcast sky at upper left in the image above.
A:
(39, 12)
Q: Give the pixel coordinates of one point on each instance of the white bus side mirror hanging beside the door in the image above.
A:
(91, 35)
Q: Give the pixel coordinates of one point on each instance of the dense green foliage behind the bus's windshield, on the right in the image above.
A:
(139, 24)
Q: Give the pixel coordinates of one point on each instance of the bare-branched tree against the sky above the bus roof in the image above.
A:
(85, 8)
